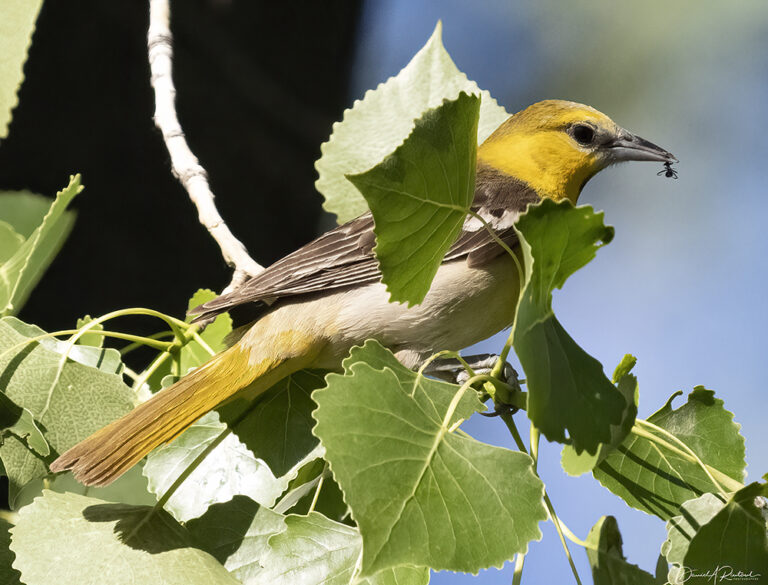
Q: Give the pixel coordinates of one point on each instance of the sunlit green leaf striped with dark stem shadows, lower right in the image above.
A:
(657, 480)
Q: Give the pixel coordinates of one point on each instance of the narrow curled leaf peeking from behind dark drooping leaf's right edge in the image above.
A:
(577, 463)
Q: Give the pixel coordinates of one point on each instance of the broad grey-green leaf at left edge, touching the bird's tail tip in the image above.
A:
(70, 394)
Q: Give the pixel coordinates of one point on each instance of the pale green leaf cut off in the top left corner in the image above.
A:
(16, 28)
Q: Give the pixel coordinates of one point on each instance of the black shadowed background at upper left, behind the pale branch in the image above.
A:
(258, 84)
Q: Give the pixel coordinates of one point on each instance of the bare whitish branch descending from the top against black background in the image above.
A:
(184, 164)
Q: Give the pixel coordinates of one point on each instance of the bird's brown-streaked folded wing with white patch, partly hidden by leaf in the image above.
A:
(344, 257)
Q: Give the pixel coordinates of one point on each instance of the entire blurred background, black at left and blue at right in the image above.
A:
(682, 285)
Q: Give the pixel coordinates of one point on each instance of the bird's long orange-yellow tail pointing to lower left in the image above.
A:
(111, 451)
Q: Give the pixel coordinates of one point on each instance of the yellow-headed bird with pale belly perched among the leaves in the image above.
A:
(318, 302)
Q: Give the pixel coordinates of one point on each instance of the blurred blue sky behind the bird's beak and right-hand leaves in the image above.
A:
(682, 286)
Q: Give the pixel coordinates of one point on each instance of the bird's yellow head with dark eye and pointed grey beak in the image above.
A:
(557, 146)
